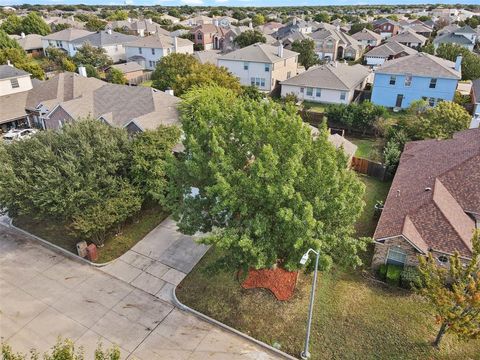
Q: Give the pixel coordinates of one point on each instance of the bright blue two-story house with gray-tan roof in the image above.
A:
(400, 81)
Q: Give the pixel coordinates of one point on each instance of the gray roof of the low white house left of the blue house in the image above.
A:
(330, 76)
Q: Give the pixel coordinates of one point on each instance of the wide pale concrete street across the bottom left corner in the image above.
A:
(44, 295)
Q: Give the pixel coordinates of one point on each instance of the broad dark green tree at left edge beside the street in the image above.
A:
(78, 176)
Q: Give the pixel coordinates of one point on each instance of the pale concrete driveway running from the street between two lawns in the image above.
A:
(158, 262)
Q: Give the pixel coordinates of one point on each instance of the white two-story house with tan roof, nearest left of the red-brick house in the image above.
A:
(147, 51)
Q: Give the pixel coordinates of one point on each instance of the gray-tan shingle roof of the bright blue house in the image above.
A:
(421, 64)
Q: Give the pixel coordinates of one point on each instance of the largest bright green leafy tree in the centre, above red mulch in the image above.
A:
(267, 191)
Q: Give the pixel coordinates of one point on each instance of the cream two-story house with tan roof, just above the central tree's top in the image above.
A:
(261, 65)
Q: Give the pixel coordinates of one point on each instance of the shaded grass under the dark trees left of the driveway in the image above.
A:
(115, 245)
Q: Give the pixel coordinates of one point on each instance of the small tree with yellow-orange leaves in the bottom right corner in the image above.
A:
(454, 293)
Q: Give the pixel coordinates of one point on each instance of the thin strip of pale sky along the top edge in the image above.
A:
(272, 3)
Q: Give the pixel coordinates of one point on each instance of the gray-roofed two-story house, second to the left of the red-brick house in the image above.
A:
(112, 42)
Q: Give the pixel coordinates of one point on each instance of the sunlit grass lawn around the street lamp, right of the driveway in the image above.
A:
(354, 317)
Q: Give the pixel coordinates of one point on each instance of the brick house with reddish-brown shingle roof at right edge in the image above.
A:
(434, 203)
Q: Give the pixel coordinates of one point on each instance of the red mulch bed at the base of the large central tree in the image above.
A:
(279, 281)
